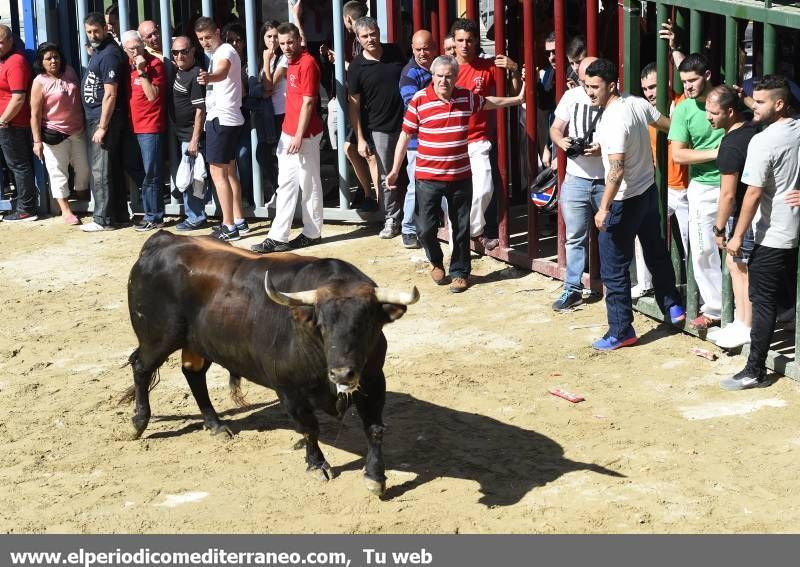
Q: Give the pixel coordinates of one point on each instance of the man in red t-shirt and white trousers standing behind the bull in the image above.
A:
(298, 151)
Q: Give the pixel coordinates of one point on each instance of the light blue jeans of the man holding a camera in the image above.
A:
(579, 200)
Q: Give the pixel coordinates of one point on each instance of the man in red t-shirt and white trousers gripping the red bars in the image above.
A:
(478, 75)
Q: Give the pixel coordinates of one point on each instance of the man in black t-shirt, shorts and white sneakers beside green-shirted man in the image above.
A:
(723, 110)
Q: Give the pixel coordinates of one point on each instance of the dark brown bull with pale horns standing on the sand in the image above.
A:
(309, 328)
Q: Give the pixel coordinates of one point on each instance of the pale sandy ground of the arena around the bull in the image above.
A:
(474, 442)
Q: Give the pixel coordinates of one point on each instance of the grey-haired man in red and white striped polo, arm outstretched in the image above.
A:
(439, 117)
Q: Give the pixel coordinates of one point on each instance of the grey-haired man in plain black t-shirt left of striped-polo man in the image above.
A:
(376, 110)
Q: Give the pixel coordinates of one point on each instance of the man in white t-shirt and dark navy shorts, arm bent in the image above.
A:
(224, 120)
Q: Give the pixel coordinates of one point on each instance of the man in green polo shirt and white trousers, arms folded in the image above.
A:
(695, 143)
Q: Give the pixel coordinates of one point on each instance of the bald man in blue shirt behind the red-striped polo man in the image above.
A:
(416, 75)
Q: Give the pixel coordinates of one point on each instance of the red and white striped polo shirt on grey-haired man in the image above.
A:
(442, 128)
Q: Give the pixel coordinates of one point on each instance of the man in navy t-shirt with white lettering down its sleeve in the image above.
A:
(105, 101)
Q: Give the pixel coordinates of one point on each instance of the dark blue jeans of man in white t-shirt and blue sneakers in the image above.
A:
(636, 216)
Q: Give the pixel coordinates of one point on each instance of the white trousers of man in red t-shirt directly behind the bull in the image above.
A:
(298, 173)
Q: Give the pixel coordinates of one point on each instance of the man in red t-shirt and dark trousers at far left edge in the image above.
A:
(15, 125)
